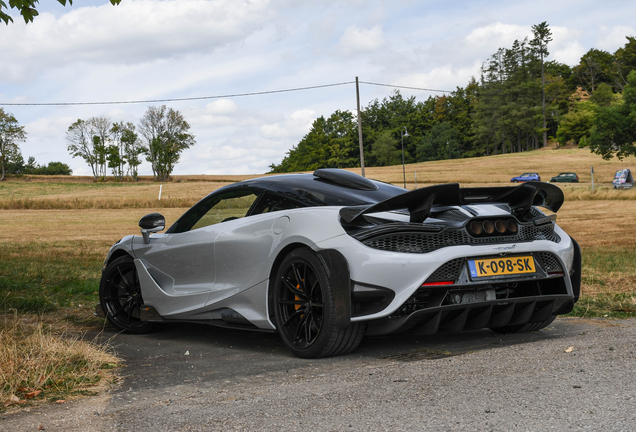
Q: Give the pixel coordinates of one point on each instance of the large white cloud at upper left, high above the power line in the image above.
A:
(135, 32)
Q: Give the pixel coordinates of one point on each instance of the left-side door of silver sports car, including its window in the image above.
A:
(182, 261)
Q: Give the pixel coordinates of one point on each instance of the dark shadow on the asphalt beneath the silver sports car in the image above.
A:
(184, 353)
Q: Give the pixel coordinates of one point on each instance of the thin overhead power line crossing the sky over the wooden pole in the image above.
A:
(213, 97)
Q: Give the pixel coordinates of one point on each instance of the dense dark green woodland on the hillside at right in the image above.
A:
(519, 102)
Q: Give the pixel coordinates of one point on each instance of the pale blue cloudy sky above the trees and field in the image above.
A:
(147, 50)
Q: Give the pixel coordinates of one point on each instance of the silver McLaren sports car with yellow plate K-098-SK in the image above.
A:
(326, 258)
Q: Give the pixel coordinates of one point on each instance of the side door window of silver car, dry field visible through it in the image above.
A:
(217, 208)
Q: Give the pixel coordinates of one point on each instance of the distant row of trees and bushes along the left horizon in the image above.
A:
(107, 147)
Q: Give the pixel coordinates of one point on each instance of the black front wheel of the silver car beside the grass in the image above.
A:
(120, 297)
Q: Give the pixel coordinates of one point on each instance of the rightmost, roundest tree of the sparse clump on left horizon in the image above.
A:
(165, 132)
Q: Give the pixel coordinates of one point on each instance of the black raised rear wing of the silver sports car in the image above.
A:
(420, 201)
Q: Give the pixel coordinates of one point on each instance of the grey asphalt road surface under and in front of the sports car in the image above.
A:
(577, 374)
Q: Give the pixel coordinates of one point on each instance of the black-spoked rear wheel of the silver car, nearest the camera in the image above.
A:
(305, 310)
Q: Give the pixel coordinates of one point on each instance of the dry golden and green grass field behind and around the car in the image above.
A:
(57, 230)
